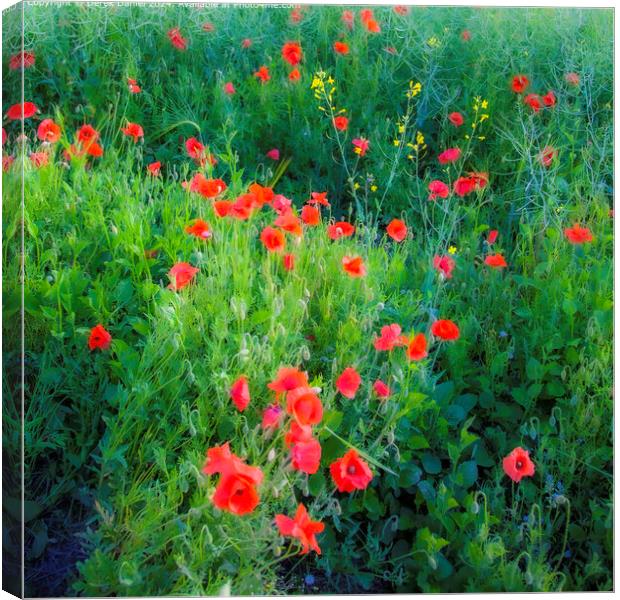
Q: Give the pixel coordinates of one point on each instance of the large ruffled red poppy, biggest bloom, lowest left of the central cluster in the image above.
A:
(236, 490)
